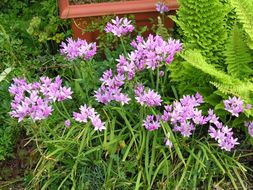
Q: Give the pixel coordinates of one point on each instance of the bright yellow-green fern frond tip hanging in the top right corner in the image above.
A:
(244, 12)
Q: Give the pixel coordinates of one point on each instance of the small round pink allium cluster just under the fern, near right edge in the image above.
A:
(234, 106)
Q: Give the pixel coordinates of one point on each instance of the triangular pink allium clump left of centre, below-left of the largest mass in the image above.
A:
(111, 89)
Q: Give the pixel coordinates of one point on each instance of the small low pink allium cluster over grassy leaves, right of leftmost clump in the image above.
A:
(86, 113)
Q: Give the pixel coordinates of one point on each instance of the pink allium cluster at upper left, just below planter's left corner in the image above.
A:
(74, 49)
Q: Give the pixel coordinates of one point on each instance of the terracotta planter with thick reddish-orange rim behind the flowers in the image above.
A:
(144, 11)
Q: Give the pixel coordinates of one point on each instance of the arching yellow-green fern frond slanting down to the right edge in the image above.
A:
(225, 83)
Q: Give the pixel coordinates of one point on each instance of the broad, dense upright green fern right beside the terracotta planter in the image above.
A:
(203, 25)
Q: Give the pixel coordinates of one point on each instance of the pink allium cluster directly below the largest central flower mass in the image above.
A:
(147, 97)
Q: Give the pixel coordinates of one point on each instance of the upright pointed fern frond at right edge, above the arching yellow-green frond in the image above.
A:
(238, 57)
